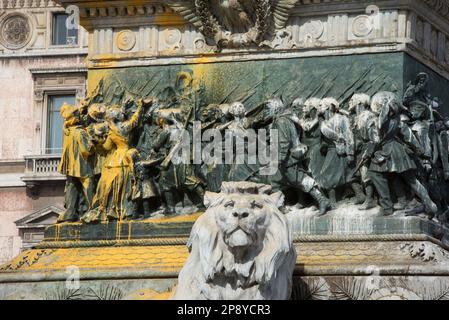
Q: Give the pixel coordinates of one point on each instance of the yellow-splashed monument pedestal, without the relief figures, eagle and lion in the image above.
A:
(324, 48)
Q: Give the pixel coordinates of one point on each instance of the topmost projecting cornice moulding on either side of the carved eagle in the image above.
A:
(116, 13)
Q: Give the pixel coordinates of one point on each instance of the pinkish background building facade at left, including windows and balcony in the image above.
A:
(42, 66)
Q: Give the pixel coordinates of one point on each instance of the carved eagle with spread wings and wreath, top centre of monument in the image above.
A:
(235, 23)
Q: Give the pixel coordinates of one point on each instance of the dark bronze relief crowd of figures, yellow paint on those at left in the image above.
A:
(375, 143)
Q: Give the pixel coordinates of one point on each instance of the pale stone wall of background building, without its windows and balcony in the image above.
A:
(29, 65)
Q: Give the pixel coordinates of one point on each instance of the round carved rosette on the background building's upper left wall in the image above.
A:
(15, 31)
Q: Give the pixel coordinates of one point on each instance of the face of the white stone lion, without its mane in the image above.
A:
(243, 220)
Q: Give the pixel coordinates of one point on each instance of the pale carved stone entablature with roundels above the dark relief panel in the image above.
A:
(315, 28)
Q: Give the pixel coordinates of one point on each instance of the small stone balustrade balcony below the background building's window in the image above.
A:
(42, 168)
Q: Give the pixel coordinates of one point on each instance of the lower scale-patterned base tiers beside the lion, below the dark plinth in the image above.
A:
(325, 269)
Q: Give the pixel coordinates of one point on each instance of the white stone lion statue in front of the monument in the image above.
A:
(240, 249)
